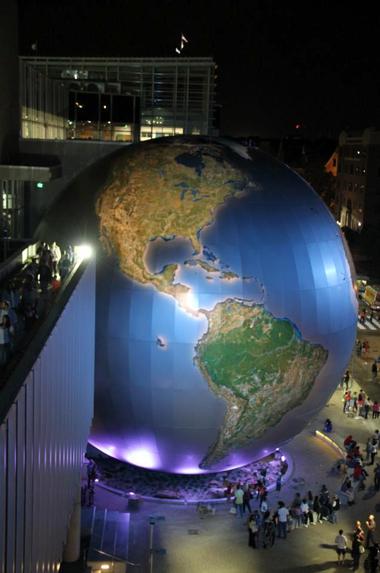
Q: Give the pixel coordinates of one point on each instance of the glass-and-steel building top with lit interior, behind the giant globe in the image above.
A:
(116, 99)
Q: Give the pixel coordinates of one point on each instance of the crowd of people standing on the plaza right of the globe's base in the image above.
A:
(266, 523)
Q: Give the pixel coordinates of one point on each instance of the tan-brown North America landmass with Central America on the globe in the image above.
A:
(156, 196)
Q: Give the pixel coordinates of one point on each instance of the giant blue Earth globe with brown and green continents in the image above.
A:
(226, 312)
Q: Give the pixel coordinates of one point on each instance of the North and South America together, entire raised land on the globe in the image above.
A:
(260, 365)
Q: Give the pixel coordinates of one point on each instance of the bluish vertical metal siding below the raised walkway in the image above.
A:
(43, 439)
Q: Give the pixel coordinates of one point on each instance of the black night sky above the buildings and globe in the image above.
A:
(316, 63)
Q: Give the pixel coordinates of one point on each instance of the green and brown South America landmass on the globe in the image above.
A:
(259, 365)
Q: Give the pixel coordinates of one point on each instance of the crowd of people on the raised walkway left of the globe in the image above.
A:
(25, 296)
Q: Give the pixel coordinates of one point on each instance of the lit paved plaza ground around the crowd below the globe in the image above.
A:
(219, 543)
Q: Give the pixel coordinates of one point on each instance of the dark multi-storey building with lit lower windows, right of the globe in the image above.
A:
(358, 179)
